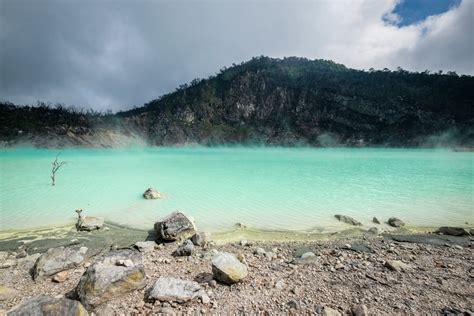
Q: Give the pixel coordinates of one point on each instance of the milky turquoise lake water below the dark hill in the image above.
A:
(267, 188)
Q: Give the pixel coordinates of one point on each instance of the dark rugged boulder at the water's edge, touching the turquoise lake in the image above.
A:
(175, 226)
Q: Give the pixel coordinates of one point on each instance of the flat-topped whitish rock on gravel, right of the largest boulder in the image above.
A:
(176, 290)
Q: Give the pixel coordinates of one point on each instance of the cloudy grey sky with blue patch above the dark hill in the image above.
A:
(117, 54)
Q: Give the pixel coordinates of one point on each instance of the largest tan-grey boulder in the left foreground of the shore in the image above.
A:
(119, 272)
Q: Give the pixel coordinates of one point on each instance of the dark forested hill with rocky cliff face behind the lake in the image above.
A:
(282, 102)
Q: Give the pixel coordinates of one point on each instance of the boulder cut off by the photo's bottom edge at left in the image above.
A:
(49, 306)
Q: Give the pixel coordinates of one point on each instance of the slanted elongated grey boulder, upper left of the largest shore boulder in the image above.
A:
(58, 259)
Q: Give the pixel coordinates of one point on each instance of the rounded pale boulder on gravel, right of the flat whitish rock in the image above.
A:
(228, 269)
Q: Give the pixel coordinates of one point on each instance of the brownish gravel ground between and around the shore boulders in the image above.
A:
(344, 275)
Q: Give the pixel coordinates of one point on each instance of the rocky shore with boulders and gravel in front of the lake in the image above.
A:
(174, 269)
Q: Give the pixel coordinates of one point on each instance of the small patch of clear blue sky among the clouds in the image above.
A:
(409, 12)
